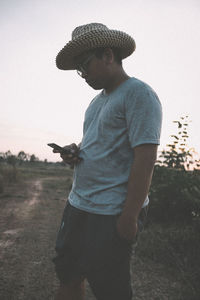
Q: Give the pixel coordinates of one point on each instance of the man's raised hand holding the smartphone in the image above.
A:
(71, 158)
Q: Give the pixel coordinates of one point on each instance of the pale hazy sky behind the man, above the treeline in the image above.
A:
(42, 104)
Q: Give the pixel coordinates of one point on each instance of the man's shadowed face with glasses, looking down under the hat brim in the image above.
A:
(94, 70)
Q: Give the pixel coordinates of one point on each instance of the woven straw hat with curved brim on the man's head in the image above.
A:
(91, 36)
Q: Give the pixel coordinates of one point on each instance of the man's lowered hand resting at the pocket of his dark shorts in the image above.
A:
(127, 227)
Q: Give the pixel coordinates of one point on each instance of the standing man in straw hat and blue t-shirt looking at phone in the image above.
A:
(113, 170)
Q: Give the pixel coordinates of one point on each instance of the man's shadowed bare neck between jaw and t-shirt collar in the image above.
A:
(115, 80)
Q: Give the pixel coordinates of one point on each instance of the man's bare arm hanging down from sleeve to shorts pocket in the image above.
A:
(138, 188)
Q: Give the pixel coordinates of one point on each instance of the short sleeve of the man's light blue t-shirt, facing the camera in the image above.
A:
(143, 116)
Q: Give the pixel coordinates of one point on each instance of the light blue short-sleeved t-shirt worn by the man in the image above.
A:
(114, 124)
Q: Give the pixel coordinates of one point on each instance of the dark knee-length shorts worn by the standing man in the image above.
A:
(88, 246)
